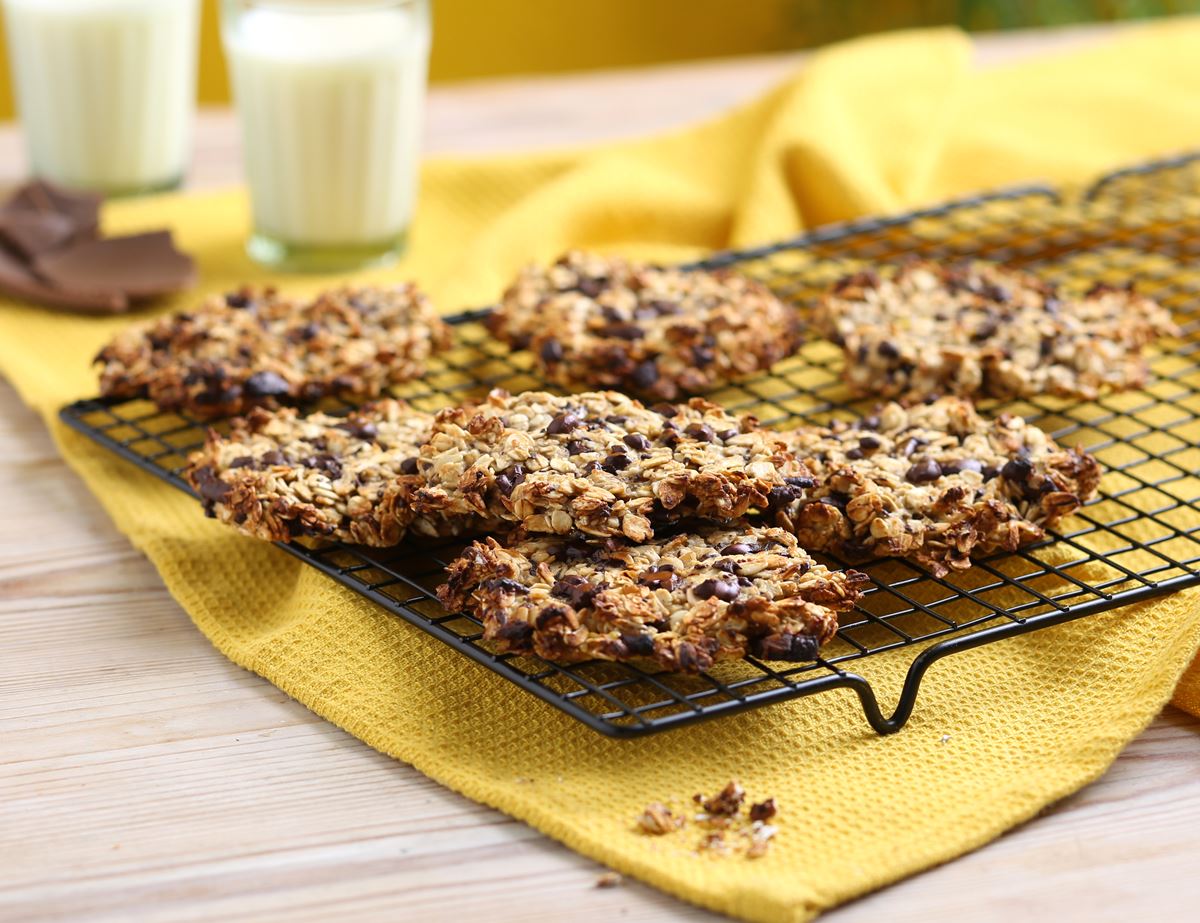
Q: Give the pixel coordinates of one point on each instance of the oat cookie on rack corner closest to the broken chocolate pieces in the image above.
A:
(257, 349)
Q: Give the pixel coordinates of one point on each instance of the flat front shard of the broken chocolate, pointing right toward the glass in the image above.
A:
(141, 266)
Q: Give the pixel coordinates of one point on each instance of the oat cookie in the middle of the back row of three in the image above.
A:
(604, 322)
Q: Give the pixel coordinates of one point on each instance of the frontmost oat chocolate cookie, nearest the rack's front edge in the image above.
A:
(717, 594)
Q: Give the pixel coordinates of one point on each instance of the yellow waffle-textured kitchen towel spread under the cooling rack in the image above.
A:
(1000, 733)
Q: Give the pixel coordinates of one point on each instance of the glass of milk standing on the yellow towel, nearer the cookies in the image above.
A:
(331, 97)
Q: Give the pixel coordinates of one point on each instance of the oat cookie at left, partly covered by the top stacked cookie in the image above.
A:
(279, 476)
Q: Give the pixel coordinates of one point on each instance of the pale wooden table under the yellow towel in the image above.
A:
(145, 777)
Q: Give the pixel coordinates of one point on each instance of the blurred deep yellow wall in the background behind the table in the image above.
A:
(488, 38)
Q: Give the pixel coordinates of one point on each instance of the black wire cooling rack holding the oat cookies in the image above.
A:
(1139, 540)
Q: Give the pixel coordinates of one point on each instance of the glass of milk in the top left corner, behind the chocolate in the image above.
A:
(106, 89)
